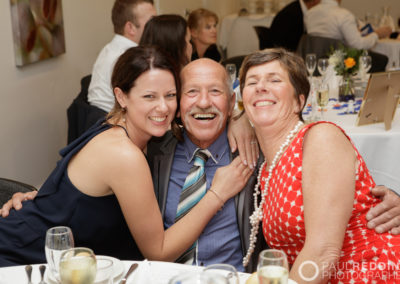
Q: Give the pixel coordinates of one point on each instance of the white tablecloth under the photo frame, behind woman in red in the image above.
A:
(379, 148)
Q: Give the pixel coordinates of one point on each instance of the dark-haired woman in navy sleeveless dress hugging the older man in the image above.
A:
(102, 187)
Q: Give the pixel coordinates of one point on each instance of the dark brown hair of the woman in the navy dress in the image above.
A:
(132, 64)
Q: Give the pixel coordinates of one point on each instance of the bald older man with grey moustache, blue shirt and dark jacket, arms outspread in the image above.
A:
(205, 105)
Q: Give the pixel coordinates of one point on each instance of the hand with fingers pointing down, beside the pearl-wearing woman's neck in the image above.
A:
(242, 137)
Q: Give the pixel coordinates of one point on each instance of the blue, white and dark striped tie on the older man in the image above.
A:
(193, 190)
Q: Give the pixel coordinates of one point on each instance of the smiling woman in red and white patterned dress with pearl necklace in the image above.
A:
(315, 187)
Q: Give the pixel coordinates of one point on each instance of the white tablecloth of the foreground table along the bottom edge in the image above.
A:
(148, 272)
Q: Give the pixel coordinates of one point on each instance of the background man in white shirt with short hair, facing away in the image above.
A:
(129, 18)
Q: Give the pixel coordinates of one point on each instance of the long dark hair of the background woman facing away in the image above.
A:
(168, 32)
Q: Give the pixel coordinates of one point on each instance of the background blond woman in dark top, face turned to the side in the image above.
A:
(203, 27)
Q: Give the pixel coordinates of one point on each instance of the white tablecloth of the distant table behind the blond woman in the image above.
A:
(237, 34)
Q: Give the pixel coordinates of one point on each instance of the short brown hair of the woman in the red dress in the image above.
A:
(292, 63)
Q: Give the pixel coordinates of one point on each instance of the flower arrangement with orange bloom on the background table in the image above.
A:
(345, 60)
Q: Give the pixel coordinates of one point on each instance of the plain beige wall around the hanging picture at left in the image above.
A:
(34, 99)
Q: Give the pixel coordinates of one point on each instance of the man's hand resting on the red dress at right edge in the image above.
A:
(385, 217)
